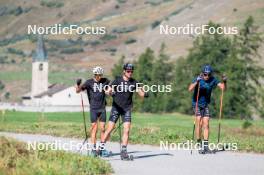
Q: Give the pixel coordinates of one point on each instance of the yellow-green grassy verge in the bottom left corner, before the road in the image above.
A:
(17, 159)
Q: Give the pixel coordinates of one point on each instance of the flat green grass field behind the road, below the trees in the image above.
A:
(146, 128)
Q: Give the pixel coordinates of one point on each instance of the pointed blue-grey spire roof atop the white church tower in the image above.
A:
(41, 53)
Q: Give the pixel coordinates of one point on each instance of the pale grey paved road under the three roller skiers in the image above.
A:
(152, 160)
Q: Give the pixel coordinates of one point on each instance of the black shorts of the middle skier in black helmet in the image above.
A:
(116, 112)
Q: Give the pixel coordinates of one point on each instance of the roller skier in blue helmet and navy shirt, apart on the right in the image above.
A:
(205, 83)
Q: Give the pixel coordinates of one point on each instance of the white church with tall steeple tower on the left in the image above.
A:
(43, 94)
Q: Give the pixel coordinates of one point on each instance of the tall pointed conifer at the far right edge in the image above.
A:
(247, 44)
